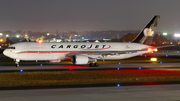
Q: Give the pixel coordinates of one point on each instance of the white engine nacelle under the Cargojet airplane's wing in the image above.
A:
(81, 59)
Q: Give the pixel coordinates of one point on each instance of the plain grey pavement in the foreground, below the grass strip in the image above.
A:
(122, 93)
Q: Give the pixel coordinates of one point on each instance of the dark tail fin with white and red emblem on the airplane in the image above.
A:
(146, 35)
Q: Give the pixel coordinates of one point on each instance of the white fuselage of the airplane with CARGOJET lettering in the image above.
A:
(59, 51)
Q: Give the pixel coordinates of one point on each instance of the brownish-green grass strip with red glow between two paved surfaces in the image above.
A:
(86, 77)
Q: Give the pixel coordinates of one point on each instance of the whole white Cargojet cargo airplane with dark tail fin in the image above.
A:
(83, 52)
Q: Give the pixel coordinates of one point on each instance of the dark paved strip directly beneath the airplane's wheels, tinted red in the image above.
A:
(102, 66)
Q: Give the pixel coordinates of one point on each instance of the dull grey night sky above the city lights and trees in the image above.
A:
(88, 15)
